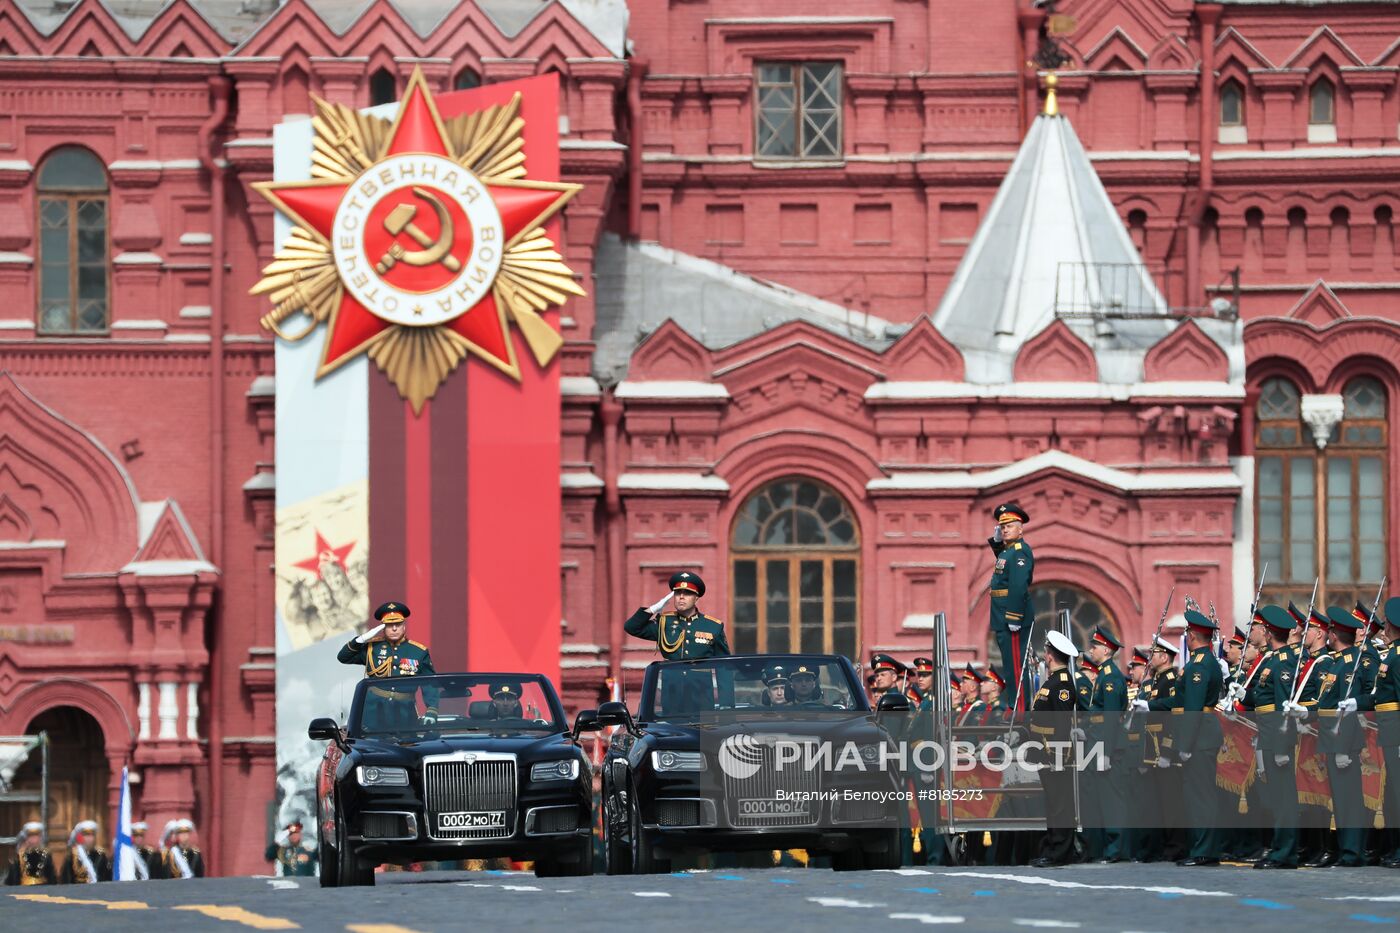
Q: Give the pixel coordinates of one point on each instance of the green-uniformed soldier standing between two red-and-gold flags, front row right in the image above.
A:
(1268, 694)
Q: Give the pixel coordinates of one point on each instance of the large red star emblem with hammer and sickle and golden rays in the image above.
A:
(421, 239)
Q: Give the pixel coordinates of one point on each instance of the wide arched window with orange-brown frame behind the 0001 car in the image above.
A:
(794, 565)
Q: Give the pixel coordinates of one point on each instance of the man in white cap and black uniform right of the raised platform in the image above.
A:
(1052, 724)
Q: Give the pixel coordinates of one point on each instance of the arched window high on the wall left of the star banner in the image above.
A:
(73, 244)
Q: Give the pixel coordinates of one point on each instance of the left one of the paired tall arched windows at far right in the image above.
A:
(1286, 492)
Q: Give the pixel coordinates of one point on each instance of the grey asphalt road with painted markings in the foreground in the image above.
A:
(1119, 899)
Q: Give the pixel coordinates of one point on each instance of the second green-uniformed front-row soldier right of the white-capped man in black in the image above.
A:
(1198, 742)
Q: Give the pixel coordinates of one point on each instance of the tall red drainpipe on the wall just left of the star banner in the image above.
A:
(219, 89)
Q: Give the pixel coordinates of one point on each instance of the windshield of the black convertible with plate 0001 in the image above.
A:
(758, 684)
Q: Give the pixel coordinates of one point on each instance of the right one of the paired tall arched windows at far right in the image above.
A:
(1357, 476)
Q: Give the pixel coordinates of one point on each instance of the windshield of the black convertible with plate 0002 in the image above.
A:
(449, 704)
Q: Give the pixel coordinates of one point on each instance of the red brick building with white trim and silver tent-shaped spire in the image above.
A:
(780, 378)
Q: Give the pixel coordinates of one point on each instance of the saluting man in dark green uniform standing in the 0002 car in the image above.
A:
(395, 655)
